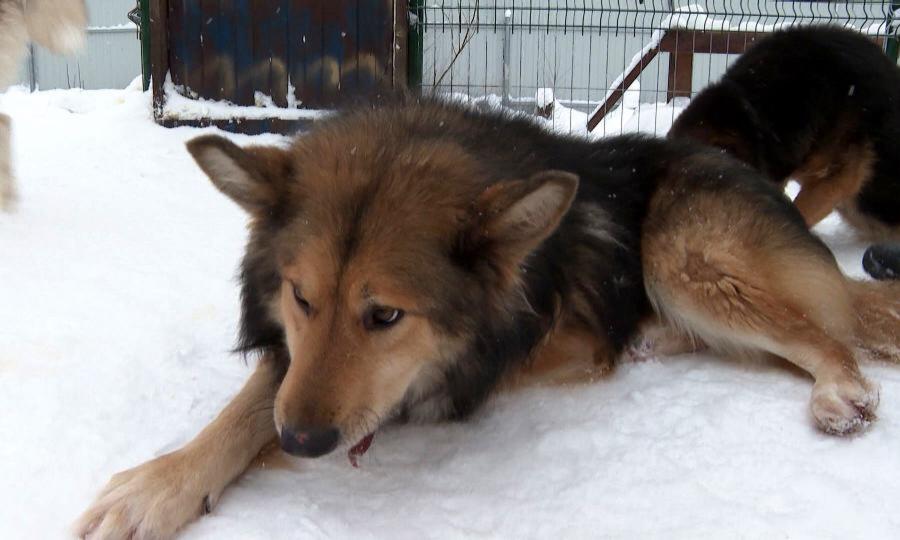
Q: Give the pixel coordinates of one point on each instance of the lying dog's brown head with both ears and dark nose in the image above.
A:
(378, 261)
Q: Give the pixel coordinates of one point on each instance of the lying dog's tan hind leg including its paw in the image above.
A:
(735, 266)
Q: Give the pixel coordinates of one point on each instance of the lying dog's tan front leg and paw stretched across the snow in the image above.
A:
(155, 499)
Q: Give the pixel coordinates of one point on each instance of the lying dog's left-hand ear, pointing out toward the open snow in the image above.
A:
(253, 177)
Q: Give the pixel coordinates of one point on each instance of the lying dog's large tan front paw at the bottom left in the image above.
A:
(152, 500)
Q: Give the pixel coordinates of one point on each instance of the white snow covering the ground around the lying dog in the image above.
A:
(118, 306)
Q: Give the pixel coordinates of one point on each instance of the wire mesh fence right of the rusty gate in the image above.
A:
(607, 66)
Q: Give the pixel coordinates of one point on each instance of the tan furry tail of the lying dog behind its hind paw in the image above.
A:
(877, 305)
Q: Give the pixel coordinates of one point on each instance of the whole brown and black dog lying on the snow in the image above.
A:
(515, 256)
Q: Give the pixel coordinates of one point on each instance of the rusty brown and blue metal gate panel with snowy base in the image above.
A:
(312, 54)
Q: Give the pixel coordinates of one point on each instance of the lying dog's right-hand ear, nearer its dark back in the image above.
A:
(513, 218)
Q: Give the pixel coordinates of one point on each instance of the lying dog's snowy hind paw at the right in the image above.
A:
(844, 407)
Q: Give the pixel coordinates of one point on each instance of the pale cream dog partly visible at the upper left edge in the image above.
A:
(57, 25)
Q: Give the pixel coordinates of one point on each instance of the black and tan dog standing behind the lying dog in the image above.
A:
(820, 105)
